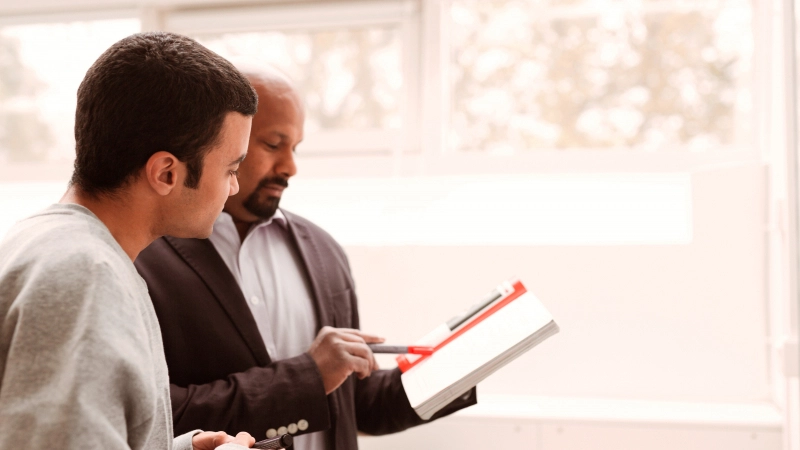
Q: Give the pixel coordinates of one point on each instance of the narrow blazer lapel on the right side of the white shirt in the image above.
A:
(315, 269)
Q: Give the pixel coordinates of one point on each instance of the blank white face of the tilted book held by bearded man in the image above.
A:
(502, 330)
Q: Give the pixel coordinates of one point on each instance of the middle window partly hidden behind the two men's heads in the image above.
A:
(350, 60)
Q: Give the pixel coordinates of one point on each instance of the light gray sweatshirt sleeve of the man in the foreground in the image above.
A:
(76, 374)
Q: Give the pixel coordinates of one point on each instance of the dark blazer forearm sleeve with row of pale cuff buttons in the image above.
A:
(255, 400)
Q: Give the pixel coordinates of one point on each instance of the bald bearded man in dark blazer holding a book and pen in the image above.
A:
(294, 363)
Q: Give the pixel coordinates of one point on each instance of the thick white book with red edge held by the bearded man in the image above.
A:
(496, 335)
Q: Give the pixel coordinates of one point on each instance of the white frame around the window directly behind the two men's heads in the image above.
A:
(402, 14)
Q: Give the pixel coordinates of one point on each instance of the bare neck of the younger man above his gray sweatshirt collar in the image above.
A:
(128, 222)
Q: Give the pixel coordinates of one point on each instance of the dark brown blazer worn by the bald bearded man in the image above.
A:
(221, 375)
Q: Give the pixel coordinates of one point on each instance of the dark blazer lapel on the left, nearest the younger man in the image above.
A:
(201, 256)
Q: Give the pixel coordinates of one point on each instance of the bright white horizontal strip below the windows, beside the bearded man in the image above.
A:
(609, 209)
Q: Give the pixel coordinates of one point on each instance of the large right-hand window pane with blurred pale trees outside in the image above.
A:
(650, 75)
